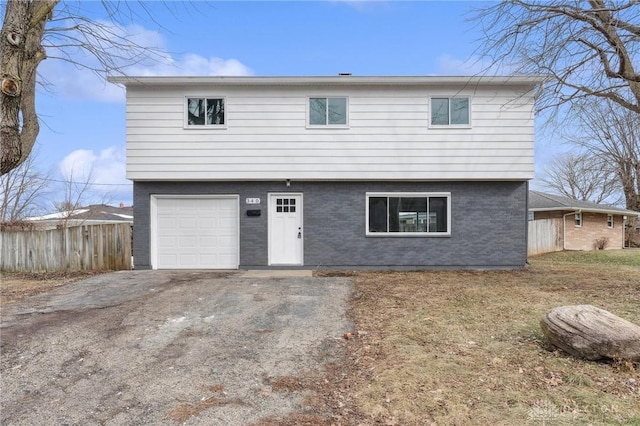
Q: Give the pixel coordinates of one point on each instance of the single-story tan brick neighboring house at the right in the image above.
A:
(580, 225)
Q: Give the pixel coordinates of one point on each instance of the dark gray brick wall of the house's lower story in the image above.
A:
(488, 224)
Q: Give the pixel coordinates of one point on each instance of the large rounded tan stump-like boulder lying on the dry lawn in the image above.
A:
(586, 331)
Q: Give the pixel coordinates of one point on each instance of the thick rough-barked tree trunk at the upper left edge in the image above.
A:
(20, 53)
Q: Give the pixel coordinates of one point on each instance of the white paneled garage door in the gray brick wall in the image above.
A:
(195, 233)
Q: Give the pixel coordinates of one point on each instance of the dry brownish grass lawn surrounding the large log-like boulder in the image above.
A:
(465, 348)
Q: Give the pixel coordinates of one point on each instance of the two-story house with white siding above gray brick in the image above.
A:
(330, 172)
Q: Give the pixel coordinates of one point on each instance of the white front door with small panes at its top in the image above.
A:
(285, 229)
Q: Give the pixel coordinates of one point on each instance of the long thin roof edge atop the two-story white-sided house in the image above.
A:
(340, 80)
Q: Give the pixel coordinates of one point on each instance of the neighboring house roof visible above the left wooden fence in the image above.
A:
(90, 215)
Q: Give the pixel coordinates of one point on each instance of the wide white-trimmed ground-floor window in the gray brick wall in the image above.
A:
(409, 214)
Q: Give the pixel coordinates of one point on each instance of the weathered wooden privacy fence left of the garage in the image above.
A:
(87, 247)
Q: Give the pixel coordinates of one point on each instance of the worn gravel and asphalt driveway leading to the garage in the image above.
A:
(169, 347)
